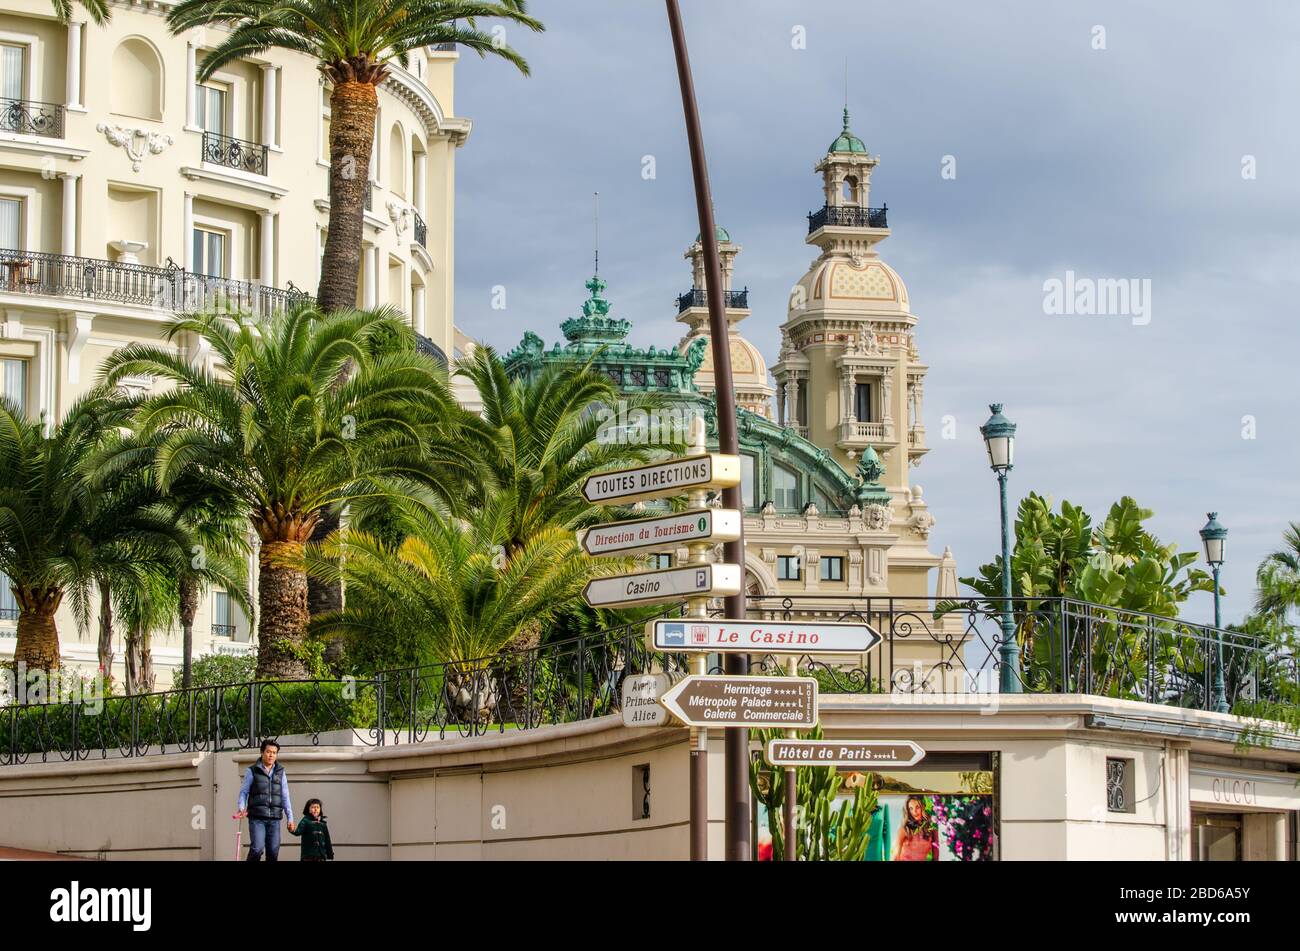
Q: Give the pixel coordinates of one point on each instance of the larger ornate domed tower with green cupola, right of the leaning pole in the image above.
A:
(850, 376)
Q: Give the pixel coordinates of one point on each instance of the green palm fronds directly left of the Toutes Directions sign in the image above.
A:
(543, 438)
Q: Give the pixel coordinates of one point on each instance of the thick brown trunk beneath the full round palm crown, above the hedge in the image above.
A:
(283, 611)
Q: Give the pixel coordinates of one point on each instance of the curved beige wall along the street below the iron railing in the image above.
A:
(567, 792)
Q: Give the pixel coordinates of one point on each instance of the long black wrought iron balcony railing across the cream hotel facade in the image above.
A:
(170, 288)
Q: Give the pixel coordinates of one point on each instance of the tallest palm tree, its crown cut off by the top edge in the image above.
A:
(354, 45)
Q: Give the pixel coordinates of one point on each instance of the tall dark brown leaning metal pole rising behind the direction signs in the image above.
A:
(736, 788)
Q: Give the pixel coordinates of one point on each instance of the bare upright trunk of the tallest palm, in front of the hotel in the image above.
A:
(353, 111)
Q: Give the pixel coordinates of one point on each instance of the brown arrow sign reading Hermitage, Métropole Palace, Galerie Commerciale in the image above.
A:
(787, 704)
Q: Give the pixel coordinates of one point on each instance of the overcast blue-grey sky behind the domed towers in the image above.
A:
(1116, 163)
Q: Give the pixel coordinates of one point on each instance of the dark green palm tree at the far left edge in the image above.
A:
(60, 535)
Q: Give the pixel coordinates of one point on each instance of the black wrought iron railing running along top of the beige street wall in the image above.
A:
(928, 648)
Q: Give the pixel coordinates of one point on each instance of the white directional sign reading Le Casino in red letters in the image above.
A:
(760, 637)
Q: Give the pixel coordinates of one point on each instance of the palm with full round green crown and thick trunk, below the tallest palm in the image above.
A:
(283, 436)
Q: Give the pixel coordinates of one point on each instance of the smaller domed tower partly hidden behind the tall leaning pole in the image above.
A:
(749, 370)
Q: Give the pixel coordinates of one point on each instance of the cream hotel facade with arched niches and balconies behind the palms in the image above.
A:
(128, 192)
